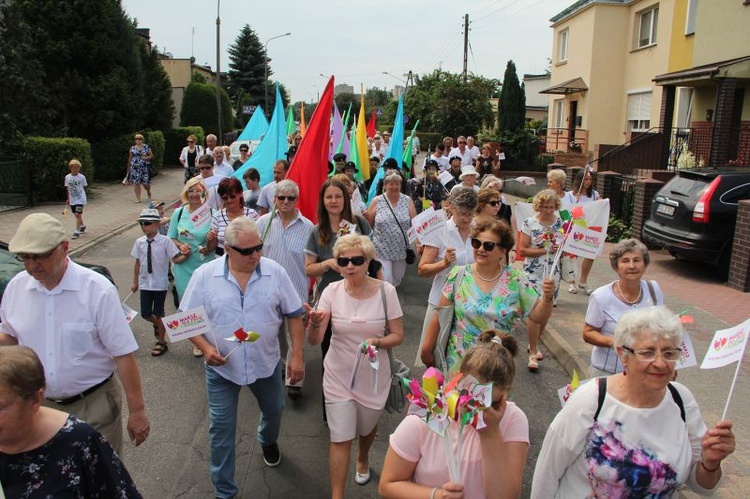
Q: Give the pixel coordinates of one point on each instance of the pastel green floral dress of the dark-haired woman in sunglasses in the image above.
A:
(511, 299)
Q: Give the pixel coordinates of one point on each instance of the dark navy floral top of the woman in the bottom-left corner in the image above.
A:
(77, 462)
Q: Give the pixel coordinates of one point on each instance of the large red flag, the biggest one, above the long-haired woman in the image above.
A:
(309, 168)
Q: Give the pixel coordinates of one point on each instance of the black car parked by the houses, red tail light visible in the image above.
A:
(694, 214)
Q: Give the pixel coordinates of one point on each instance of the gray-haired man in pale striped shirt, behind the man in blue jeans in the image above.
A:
(284, 233)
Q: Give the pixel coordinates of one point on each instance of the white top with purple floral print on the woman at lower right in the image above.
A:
(627, 452)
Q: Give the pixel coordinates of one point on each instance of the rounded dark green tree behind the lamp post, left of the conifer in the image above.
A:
(199, 108)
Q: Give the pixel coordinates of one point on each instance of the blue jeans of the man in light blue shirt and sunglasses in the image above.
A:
(222, 431)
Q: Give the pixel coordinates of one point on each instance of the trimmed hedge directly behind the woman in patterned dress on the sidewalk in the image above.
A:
(111, 156)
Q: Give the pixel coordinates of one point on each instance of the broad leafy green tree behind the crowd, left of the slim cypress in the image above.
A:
(444, 104)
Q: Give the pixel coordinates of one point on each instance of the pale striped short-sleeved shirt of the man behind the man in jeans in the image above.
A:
(286, 246)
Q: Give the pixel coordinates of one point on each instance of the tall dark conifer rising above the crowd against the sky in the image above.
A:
(247, 59)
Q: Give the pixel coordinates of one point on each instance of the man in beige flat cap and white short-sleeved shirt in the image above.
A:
(72, 318)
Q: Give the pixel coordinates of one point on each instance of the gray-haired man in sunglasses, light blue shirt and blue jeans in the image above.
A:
(246, 297)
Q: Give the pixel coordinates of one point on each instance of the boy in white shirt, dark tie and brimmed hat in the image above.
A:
(152, 253)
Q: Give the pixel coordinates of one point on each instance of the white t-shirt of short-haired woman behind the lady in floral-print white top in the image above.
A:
(604, 310)
